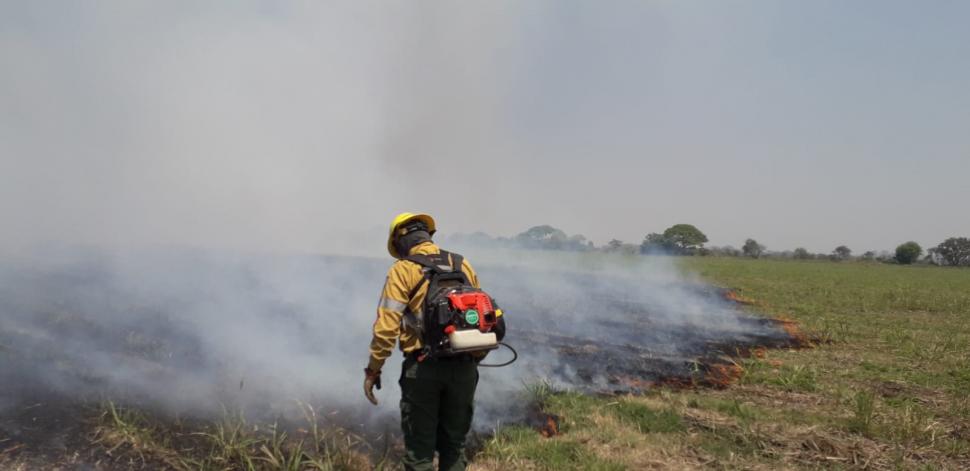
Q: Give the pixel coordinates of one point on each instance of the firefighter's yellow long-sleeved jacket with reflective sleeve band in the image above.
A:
(401, 279)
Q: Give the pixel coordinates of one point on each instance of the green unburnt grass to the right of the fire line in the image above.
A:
(885, 387)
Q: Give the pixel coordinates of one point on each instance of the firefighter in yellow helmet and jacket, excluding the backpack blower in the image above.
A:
(437, 394)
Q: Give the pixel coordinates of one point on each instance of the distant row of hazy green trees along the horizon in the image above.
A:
(688, 240)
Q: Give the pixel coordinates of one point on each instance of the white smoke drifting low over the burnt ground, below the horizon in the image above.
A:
(192, 330)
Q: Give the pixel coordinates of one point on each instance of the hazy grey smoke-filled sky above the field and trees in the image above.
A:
(299, 126)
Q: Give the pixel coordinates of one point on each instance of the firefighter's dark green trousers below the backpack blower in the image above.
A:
(437, 404)
